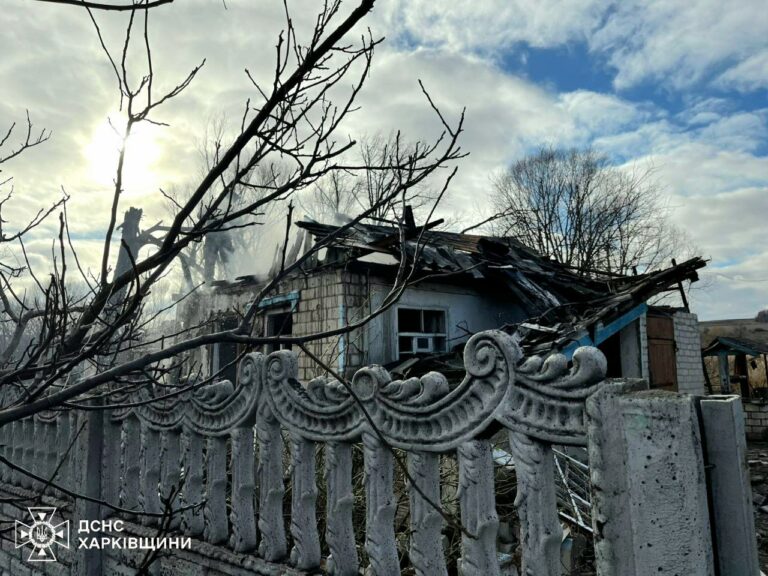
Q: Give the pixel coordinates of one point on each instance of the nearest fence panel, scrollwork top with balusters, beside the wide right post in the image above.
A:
(539, 401)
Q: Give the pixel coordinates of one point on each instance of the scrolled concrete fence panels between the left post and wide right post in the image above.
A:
(224, 442)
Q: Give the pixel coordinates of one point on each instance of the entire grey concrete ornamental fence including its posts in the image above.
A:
(668, 472)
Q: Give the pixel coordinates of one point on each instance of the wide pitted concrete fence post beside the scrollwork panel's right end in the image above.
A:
(650, 511)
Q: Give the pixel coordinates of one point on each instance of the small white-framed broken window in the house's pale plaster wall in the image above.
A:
(420, 331)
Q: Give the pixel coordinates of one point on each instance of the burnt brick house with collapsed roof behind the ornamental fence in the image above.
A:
(460, 284)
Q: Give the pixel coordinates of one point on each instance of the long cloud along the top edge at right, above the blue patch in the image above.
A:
(674, 43)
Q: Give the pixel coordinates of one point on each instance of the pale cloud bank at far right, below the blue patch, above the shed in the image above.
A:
(718, 197)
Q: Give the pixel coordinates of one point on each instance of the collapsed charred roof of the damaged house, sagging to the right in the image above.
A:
(564, 304)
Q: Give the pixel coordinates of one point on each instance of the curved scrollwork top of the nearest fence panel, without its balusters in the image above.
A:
(543, 399)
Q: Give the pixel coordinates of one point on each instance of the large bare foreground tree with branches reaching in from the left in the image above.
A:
(92, 347)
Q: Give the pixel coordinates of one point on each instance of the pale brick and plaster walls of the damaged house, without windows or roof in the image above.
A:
(333, 298)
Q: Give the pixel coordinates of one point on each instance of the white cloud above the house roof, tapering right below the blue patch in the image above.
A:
(507, 116)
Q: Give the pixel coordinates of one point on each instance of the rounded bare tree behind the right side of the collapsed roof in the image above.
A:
(577, 208)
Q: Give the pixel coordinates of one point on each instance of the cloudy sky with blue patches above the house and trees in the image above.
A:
(676, 85)
